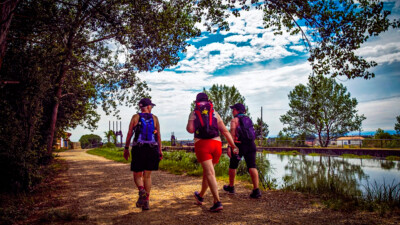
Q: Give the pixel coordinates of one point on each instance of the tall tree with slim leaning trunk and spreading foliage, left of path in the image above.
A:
(88, 38)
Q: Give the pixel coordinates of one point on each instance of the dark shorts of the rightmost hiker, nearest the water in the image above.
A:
(248, 150)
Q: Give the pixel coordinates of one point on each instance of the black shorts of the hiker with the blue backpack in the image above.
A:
(145, 157)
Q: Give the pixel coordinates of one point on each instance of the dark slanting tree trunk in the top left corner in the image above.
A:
(6, 11)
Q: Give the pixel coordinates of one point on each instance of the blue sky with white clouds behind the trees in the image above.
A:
(264, 68)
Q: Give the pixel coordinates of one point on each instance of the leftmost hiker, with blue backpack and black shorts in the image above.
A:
(146, 149)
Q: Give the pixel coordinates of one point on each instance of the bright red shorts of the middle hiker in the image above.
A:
(208, 149)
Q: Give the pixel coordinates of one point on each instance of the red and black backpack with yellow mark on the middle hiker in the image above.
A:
(205, 123)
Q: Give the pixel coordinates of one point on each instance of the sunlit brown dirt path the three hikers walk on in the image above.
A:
(104, 192)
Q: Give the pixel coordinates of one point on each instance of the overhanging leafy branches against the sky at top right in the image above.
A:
(332, 30)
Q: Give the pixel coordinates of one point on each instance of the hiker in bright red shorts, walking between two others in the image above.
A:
(205, 123)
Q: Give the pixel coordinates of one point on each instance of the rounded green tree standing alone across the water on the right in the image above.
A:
(323, 107)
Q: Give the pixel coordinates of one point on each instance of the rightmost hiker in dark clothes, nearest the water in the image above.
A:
(242, 131)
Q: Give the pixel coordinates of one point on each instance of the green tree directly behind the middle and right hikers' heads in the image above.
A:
(222, 97)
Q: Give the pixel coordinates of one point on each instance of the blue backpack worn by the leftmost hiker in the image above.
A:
(145, 130)
